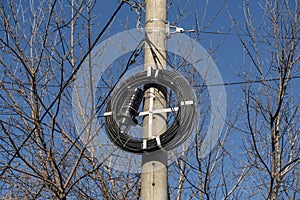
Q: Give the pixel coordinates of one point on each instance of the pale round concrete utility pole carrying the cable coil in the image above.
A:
(154, 165)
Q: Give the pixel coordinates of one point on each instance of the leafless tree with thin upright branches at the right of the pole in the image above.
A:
(266, 164)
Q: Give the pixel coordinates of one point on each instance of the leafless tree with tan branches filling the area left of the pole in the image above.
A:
(42, 47)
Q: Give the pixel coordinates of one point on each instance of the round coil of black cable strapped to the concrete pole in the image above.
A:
(176, 134)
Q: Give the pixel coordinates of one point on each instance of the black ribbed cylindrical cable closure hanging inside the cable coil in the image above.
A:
(130, 107)
